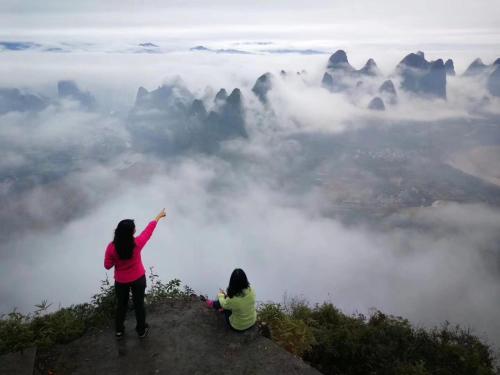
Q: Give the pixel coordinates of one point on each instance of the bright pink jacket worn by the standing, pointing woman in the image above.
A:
(128, 270)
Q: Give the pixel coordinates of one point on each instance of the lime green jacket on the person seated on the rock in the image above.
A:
(243, 314)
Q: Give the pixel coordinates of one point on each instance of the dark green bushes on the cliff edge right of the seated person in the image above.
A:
(379, 344)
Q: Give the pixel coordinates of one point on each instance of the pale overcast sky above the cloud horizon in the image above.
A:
(446, 20)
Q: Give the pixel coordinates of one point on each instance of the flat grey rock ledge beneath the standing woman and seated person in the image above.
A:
(185, 338)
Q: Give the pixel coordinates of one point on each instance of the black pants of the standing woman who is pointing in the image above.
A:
(122, 291)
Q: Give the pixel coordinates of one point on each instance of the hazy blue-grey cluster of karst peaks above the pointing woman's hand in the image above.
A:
(170, 119)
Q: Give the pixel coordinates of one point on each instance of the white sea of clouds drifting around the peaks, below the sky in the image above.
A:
(253, 204)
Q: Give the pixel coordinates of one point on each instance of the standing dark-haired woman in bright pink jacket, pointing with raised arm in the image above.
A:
(124, 253)
